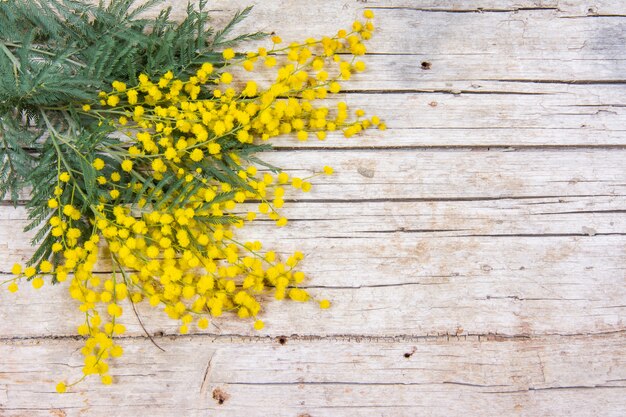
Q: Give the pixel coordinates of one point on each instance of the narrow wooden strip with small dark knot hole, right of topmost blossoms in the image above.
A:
(477, 74)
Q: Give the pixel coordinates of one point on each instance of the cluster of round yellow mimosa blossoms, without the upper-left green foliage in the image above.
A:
(171, 199)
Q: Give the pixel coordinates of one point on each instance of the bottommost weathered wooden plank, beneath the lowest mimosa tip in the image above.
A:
(577, 376)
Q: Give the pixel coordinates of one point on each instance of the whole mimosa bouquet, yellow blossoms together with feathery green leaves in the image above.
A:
(138, 141)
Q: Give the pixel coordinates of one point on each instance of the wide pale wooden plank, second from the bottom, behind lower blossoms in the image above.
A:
(408, 286)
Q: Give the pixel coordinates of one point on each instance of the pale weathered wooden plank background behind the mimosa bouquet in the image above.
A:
(475, 252)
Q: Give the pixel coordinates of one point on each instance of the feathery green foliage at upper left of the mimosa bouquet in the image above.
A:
(53, 52)
